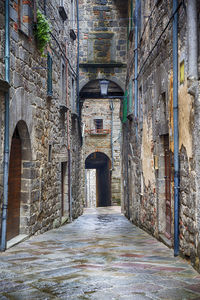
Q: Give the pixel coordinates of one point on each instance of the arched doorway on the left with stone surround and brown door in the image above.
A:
(20, 174)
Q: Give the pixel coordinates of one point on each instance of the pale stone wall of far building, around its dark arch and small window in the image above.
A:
(100, 108)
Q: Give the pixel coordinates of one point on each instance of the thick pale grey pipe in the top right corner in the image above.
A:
(192, 39)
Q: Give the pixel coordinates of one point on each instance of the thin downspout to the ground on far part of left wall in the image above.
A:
(68, 142)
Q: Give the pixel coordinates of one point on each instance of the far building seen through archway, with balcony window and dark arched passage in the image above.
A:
(101, 148)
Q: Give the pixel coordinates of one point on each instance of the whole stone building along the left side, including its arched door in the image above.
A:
(43, 130)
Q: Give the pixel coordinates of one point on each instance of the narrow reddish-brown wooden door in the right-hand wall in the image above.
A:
(167, 185)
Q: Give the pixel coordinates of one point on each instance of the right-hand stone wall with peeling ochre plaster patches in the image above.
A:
(148, 150)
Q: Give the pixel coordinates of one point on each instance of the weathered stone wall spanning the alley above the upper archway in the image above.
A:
(103, 41)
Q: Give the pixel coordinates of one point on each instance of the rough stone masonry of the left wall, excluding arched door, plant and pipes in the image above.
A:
(47, 125)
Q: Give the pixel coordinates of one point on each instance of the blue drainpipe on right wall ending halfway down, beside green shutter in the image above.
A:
(136, 65)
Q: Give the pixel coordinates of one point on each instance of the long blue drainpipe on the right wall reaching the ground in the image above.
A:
(176, 131)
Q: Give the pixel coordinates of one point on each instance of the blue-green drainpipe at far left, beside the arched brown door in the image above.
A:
(6, 134)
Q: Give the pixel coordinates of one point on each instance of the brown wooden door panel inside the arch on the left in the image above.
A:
(14, 188)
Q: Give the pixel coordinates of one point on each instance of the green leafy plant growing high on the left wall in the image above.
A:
(42, 31)
